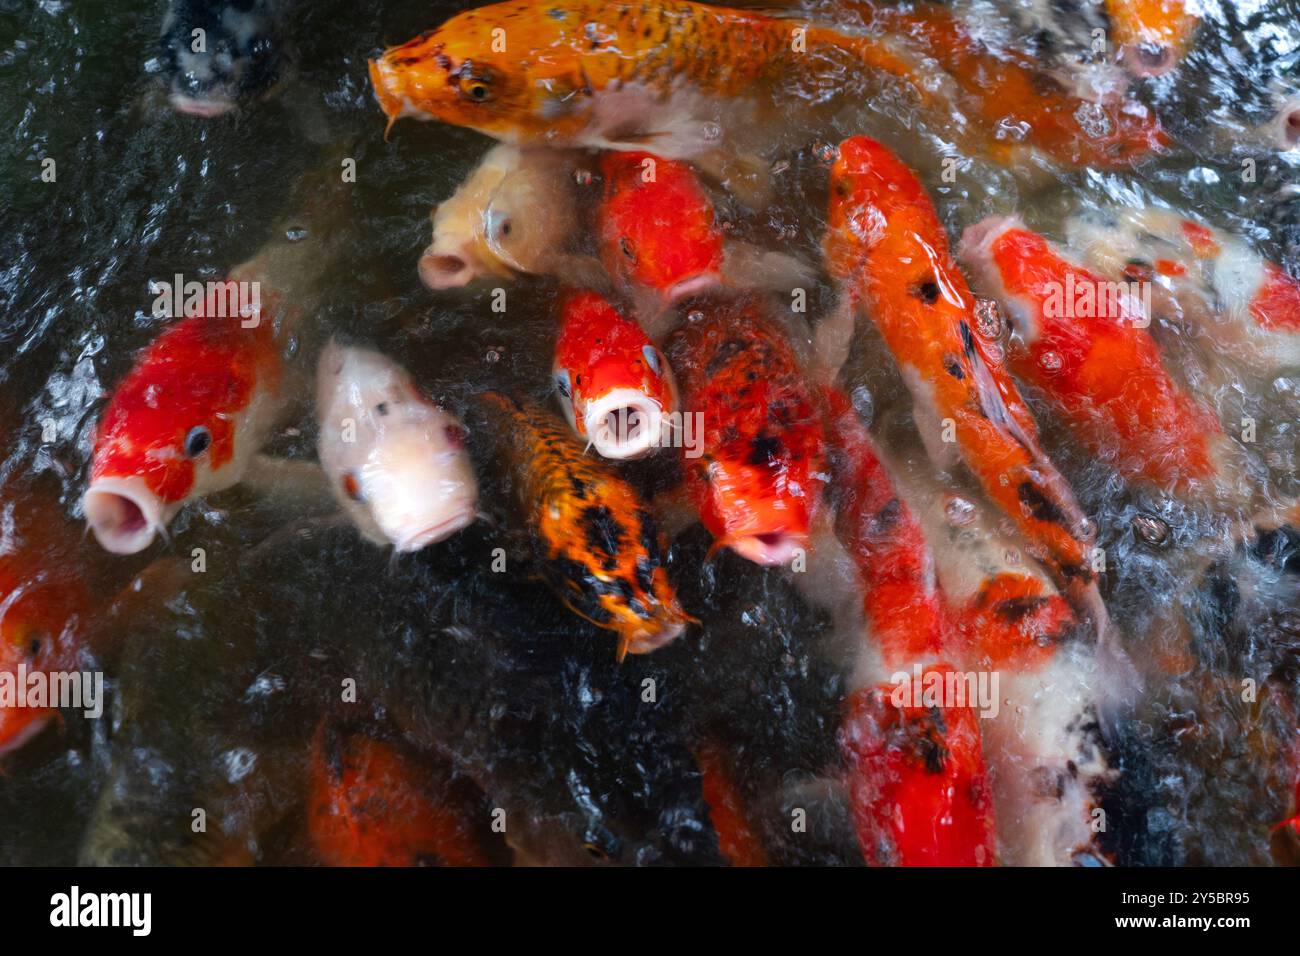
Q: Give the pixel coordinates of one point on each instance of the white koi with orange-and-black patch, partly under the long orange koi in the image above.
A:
(1043, 742)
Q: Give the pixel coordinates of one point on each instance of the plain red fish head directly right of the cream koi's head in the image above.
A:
(658, 228)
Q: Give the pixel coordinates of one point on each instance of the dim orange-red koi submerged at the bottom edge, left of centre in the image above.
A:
(374, 804)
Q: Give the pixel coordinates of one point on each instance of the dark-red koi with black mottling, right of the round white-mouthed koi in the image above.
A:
(759, 482)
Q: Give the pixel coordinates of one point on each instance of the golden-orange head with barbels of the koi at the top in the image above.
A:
(462, 75)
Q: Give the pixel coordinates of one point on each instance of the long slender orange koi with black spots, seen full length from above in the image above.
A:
(890, 253)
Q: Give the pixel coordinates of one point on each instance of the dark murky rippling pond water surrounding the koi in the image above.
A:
(220, 678)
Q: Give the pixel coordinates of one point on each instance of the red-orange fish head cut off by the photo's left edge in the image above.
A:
(38, 617)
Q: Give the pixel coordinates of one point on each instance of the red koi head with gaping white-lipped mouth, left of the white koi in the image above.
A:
(170, 432)
